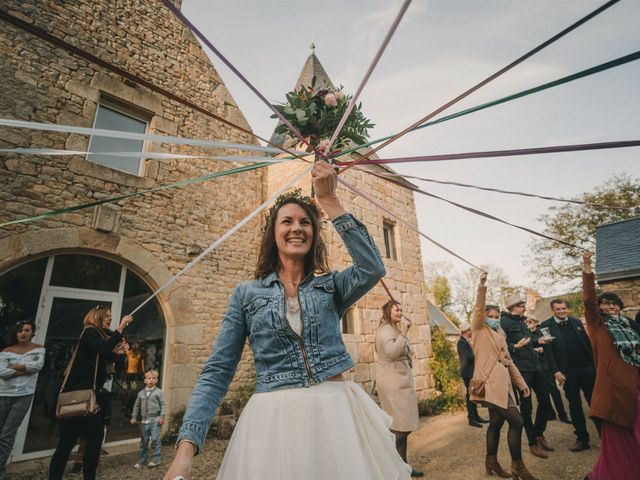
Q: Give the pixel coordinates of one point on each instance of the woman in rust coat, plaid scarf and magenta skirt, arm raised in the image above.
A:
(616, 394)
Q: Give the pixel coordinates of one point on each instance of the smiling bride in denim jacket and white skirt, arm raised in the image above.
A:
(305, 420)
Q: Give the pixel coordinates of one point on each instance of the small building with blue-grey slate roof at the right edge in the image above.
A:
(618, 261)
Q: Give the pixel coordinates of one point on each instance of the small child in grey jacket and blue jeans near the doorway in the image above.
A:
(150, 407)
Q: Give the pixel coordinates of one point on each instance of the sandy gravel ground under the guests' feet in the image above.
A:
(445, 448)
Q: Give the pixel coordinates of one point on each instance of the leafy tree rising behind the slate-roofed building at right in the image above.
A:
(552, 262)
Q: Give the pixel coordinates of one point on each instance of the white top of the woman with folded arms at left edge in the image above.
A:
(11, 386)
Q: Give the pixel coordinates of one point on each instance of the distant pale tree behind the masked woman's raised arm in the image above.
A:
(465, 287)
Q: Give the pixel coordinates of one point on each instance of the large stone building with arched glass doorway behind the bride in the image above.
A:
(53, 270)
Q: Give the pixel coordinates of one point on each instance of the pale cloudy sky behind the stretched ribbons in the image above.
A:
(441, 49)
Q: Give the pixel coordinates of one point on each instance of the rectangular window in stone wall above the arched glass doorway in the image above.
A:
(114, 114)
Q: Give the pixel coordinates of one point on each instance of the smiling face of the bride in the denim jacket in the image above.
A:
(293, 232)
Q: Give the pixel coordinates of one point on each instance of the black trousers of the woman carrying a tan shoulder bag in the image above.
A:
(91, 427)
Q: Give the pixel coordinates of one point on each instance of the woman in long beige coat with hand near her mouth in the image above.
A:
(394, 378)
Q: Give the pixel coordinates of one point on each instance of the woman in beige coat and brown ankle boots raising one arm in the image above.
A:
(496, 372)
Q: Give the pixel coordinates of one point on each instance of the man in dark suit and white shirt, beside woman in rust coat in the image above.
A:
(575, 368)
